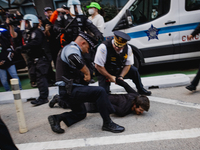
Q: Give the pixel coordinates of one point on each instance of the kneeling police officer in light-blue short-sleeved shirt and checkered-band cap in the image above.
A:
(70, 64)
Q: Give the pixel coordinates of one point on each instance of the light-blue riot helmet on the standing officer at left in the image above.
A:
(32, 21)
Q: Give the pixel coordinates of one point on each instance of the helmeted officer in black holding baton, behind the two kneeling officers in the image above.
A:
(81, 22)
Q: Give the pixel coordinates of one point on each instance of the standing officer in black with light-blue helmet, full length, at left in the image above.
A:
(38, 62)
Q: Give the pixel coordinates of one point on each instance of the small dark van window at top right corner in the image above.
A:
(191, 5)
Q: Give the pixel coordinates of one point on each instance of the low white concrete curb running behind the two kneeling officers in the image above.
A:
(163, 81)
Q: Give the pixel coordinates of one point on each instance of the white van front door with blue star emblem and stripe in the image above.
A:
(154, 28)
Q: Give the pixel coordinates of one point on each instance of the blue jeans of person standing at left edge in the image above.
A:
(3, 76)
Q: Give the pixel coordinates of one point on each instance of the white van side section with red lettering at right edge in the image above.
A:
(189, 20)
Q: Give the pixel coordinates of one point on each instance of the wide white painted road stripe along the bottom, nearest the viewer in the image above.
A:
(110, 140)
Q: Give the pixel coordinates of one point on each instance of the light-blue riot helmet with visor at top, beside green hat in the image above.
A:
(75, 7)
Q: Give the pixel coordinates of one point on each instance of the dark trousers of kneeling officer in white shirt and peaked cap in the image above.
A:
(132, 74)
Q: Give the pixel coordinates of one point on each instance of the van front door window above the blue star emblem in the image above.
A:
(144, 11)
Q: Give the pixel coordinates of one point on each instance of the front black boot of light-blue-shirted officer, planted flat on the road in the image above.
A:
(112, 127)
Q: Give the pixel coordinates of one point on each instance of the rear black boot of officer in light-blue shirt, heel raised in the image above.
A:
(55, 124)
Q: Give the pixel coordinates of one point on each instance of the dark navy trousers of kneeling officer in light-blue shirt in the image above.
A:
(81, 94)
